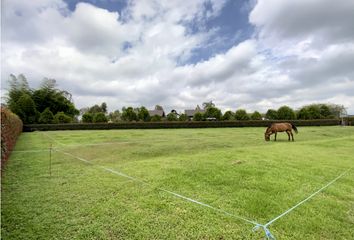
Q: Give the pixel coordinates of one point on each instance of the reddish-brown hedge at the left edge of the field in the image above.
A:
(11, 127)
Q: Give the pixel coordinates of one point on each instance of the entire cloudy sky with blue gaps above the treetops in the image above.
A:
(239, 54)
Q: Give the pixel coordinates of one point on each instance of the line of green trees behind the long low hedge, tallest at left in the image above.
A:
(48, 104)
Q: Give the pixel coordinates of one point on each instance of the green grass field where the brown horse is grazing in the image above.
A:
(231, 169)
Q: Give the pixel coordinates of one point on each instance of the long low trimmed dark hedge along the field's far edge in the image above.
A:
(156, 125)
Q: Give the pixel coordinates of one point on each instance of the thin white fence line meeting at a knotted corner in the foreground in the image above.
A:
(264, 227)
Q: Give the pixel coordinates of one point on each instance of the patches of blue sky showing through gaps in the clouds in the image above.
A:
(232, 25)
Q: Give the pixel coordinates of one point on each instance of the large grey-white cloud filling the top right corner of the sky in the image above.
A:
(325, 20)
